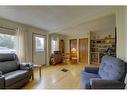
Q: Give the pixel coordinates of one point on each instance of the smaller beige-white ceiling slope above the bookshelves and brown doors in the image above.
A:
(103, 24)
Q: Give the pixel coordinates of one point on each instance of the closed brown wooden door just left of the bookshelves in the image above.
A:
(83, 50)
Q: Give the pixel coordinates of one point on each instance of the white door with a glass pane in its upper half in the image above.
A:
(39, 49)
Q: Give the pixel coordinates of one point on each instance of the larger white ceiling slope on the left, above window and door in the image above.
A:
(51, 18)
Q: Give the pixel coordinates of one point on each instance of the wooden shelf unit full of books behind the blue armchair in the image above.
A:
(98, 48)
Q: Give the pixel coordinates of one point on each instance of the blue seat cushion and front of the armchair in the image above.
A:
(85, 79)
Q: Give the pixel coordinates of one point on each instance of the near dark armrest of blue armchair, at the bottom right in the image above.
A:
(107, 84)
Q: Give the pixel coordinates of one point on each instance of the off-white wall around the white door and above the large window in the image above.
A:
(29, 30)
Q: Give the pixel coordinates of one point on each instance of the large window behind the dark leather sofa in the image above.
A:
(7, 43)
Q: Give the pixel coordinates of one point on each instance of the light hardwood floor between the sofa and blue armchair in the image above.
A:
(54, 78)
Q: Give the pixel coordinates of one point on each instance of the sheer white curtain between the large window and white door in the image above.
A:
(22, 45)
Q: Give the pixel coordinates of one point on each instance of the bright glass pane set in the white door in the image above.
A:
(40, 44)
